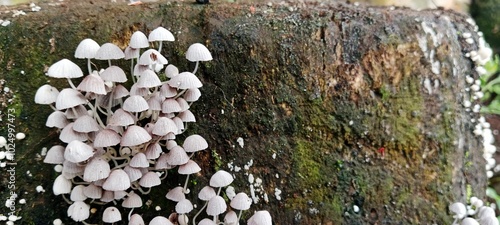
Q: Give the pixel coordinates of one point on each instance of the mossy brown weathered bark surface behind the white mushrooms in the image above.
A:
(330, 100)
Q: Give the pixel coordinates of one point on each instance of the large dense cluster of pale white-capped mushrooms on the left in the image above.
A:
(119, 142)
